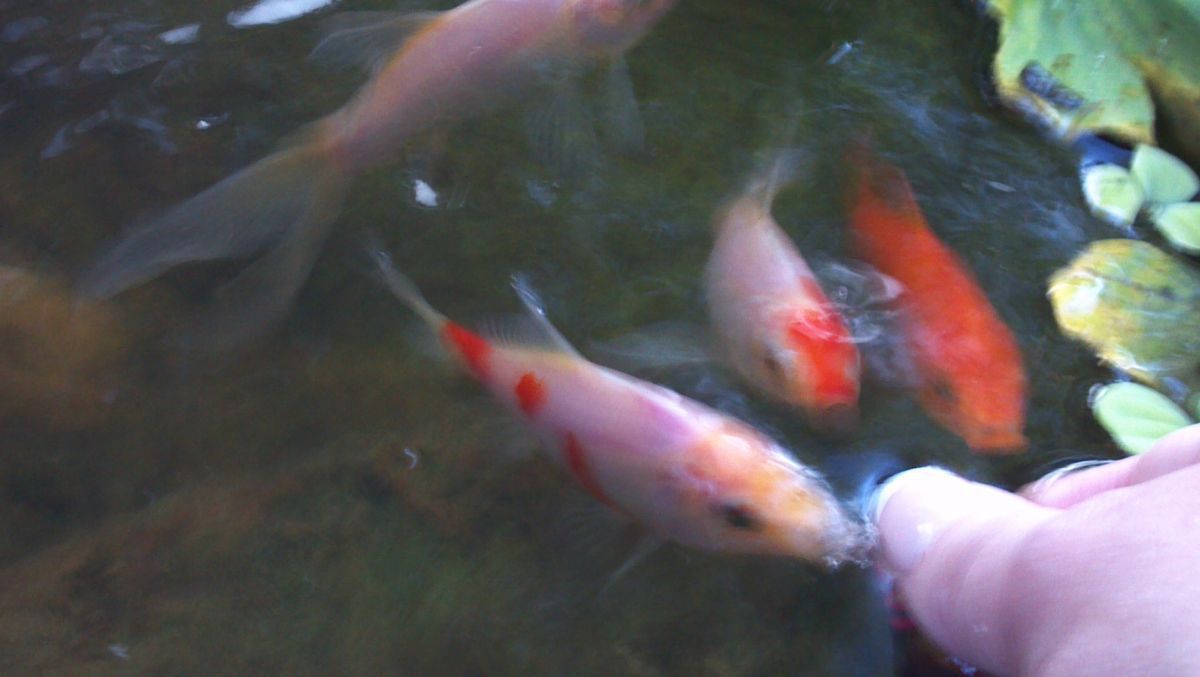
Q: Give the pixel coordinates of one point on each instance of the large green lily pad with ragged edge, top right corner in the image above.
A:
(1093, 65)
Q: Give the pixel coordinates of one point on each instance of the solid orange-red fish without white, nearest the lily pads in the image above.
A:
(970, 375)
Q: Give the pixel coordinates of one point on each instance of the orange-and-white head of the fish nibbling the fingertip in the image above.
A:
(748, 496)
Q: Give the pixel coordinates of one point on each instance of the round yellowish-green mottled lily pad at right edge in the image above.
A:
(1136, 305)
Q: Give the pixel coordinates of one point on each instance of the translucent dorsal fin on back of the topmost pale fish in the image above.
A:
(368, 39)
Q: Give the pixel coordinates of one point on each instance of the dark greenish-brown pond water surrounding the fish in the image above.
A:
(333, 499)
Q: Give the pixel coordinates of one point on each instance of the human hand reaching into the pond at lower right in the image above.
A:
(1096, 572)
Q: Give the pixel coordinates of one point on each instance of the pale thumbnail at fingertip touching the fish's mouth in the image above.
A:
(913, 510)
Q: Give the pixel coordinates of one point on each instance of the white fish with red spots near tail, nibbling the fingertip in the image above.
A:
(677, 468)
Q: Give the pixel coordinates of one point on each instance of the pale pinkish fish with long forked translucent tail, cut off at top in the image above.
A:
(430, 70)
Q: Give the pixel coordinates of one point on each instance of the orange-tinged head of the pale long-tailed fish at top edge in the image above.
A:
(610, 27)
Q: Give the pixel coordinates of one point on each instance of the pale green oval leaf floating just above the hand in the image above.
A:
(1137, 417)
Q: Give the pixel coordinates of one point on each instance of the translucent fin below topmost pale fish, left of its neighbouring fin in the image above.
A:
(561, 131)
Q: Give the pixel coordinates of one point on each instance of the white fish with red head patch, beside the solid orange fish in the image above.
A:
(773, 321)
